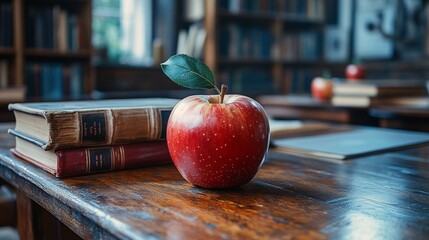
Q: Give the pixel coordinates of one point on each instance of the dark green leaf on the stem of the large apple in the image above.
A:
(189, 72)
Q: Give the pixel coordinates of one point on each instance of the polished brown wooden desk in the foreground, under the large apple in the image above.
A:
(383, 196)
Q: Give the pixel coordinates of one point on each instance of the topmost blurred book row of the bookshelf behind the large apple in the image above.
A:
(308, 9)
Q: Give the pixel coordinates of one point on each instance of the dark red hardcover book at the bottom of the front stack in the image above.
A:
(82, 161)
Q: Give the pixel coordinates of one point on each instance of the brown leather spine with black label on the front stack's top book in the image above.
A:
(106, 127)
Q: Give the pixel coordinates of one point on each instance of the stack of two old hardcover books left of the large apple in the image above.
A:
(82, 137)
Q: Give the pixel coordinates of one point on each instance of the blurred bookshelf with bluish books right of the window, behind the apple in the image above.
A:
(266, 47)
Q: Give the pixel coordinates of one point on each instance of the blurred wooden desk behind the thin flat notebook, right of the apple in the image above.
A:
(306, 108)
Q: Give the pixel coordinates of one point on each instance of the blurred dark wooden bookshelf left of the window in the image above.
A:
(45, 39)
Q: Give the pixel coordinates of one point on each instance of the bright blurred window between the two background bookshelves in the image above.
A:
(122, 31)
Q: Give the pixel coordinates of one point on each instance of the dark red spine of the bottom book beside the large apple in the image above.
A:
(82, 161)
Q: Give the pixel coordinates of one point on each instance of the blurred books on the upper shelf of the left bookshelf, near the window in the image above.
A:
(52, 27)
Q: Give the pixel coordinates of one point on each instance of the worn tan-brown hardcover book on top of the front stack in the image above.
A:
(54, 125)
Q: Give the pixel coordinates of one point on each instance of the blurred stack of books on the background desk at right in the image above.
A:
(367, 93)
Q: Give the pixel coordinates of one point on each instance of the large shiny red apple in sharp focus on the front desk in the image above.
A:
(218, 145)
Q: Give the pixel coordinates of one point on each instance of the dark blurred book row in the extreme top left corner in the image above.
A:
(6, 24)
